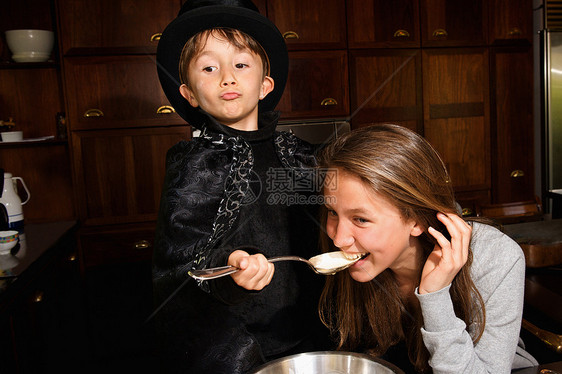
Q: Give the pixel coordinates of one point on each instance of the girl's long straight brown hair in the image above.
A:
(404, 168)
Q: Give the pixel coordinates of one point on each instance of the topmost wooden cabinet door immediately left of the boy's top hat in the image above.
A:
(107, 26)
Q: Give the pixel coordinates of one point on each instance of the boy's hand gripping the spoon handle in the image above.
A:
(255, 271)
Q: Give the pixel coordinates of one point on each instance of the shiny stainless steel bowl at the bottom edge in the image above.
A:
(328, 363)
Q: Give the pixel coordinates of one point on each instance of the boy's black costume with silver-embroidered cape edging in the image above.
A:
(211, 204)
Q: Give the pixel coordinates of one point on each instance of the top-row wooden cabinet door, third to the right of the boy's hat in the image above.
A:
(453, 23)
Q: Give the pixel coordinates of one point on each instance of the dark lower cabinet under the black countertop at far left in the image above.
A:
(41, 314)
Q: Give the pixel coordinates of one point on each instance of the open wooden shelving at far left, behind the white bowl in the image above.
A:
(31, 95)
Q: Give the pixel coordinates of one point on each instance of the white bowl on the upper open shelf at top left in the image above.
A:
(30, 45)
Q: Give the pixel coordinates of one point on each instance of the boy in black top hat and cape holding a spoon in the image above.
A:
(223, 68)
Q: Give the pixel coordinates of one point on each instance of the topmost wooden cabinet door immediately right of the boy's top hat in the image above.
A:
(308, 24)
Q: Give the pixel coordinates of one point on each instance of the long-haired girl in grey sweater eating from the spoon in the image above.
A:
(443, 292)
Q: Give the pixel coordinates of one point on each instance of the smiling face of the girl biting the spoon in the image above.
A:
(361, 221)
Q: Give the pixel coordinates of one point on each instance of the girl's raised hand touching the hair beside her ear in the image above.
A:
(447, 258)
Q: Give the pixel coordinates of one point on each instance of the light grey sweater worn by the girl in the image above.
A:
(498, 272)
